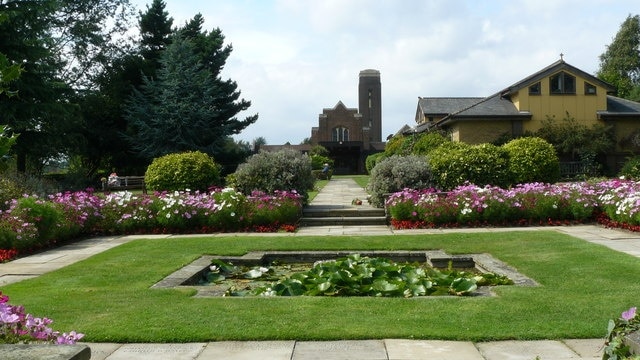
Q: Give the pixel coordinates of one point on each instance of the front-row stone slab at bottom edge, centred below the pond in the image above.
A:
(340, 350)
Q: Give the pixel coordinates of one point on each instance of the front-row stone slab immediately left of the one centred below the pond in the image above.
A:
(249, 350)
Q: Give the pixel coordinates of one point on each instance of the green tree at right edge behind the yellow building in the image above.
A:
(620, 63)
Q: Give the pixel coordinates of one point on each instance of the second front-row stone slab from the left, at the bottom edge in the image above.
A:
(187, 351)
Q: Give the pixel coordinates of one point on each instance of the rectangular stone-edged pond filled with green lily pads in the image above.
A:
(345, 273)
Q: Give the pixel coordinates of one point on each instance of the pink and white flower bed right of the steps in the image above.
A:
(612, 202)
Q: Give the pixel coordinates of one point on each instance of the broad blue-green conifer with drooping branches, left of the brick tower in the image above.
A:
(188, 107)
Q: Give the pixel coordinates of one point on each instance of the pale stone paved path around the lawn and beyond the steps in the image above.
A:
(337, 194)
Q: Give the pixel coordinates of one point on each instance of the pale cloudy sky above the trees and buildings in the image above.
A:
(292, 58)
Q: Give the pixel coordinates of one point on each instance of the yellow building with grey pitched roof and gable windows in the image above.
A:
(555, 91)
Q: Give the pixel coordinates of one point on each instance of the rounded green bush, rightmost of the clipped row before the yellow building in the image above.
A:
(532, 159)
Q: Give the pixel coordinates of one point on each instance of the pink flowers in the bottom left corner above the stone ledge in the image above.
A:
(17, 327)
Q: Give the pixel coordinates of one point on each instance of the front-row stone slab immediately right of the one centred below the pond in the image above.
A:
(399, 349)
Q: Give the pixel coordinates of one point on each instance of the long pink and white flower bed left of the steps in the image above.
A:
(31, 223)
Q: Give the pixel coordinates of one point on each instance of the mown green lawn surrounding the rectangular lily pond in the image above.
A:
(108, 296)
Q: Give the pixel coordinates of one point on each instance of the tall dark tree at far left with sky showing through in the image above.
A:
(60, 45)
